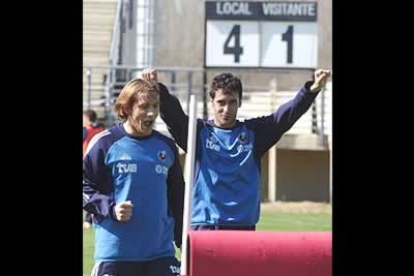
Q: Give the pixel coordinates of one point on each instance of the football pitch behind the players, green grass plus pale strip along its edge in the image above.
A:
(303, 218)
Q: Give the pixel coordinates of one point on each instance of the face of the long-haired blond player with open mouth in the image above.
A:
(144, 113)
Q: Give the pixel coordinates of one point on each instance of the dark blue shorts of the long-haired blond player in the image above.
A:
(168, 266)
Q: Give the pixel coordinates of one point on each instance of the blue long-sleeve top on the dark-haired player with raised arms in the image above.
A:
(227, 169)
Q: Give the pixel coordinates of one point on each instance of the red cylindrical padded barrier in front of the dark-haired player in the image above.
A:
(256, 253)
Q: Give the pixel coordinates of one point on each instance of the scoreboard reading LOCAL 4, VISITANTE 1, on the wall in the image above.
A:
(261, 34)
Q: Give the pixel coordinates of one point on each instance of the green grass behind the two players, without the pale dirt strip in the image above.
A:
(269, 221)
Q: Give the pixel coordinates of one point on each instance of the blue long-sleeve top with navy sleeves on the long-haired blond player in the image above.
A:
(118, 167)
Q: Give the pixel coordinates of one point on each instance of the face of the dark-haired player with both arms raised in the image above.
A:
(225, 109)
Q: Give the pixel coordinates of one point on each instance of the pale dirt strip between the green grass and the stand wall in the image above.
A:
(305, 207)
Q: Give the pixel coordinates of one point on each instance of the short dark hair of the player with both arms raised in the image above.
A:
(228, 83)
